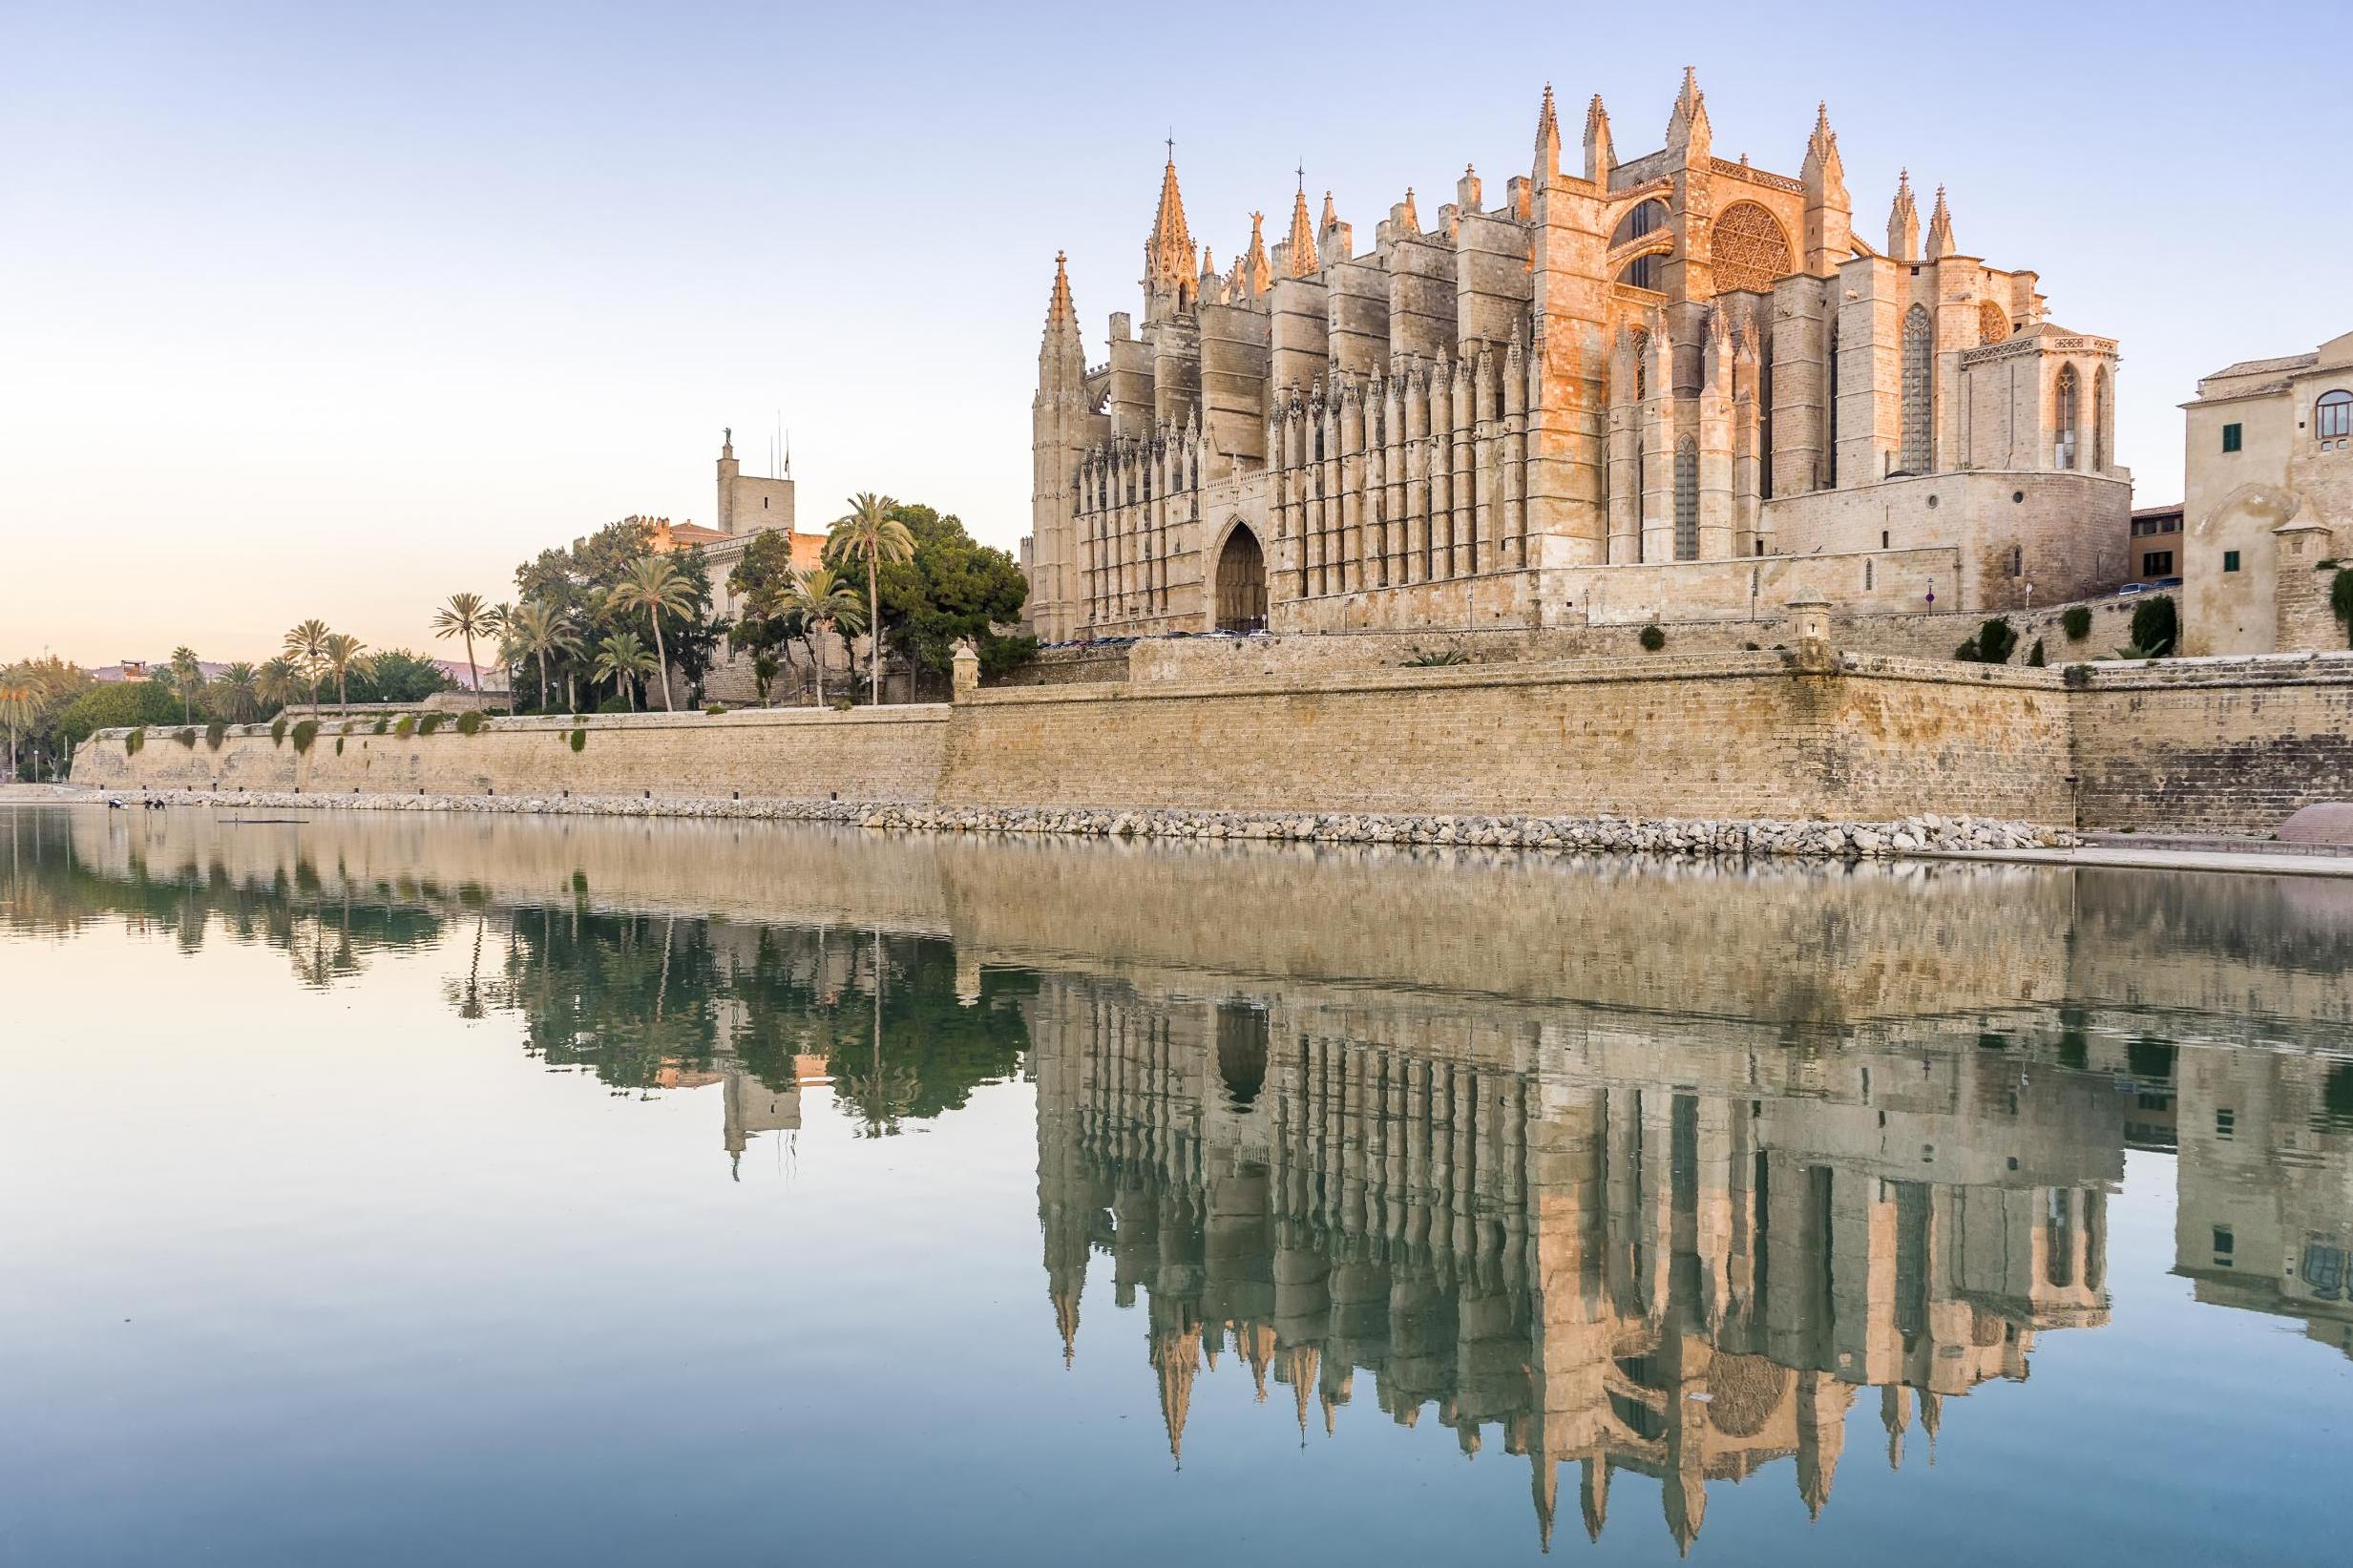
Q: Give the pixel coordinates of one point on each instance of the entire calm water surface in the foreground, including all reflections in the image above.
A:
(404, 1188)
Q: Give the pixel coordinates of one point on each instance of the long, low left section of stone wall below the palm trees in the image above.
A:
(884, 756)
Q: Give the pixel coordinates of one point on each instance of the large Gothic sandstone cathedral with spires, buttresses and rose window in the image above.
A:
(1655, 389)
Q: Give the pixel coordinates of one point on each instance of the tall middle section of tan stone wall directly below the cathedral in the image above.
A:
(1700, 737)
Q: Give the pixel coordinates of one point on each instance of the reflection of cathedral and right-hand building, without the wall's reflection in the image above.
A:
(1677, 1254)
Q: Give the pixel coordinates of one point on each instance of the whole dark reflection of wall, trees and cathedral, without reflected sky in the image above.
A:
(1658, 1172)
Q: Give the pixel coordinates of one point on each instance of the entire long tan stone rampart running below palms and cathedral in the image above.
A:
(1227, 725)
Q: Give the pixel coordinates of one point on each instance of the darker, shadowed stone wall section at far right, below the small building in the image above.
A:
(2225, 746)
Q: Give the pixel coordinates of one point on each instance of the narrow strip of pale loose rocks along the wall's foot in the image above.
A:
(1924, 833)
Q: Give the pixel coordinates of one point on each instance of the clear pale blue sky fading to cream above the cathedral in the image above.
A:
(338, 309)
